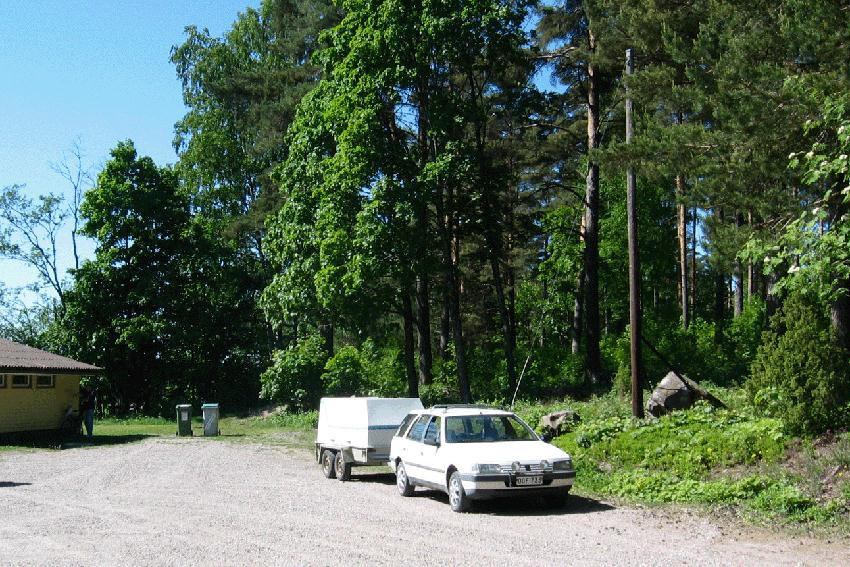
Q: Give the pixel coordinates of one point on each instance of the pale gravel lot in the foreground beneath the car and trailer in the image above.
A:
(214, 502)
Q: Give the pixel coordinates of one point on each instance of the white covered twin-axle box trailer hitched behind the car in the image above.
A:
(358, 432)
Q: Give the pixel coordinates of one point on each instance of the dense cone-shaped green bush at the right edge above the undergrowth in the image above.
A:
(800, 373)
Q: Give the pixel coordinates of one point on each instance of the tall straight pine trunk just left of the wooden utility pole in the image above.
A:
(591, 230)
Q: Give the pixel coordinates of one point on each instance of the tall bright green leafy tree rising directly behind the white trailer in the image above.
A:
(392, 135)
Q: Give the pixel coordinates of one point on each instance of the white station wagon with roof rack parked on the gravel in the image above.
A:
(473, 453)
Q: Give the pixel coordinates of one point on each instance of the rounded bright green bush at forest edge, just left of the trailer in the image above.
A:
(294, 377)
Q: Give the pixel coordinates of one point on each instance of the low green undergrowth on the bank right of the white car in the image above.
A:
(702, 456)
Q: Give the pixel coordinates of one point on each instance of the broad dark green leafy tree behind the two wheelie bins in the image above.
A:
(155, 307)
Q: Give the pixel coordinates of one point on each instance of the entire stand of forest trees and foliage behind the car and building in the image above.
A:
(428, 198)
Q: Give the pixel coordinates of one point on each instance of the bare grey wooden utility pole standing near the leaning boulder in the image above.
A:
(634, 262)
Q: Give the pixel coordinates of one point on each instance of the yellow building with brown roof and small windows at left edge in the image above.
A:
(37, 387)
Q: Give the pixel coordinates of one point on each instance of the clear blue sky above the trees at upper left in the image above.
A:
(96, 71)
